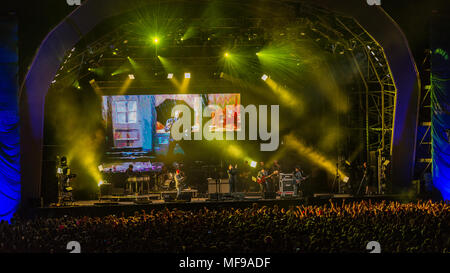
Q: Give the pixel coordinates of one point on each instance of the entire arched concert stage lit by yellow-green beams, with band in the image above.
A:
(127, 104)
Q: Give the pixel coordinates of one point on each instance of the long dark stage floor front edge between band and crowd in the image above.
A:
(127, 206)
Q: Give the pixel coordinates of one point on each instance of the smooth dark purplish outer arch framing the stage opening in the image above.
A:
(91, 13)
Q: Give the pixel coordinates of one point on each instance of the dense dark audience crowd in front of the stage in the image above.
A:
(344, 227)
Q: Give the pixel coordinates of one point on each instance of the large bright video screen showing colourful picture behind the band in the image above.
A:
(138, 125)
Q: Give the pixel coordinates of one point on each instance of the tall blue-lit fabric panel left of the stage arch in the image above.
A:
(9, 121)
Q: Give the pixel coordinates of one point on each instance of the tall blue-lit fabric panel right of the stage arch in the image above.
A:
(440, 105)
